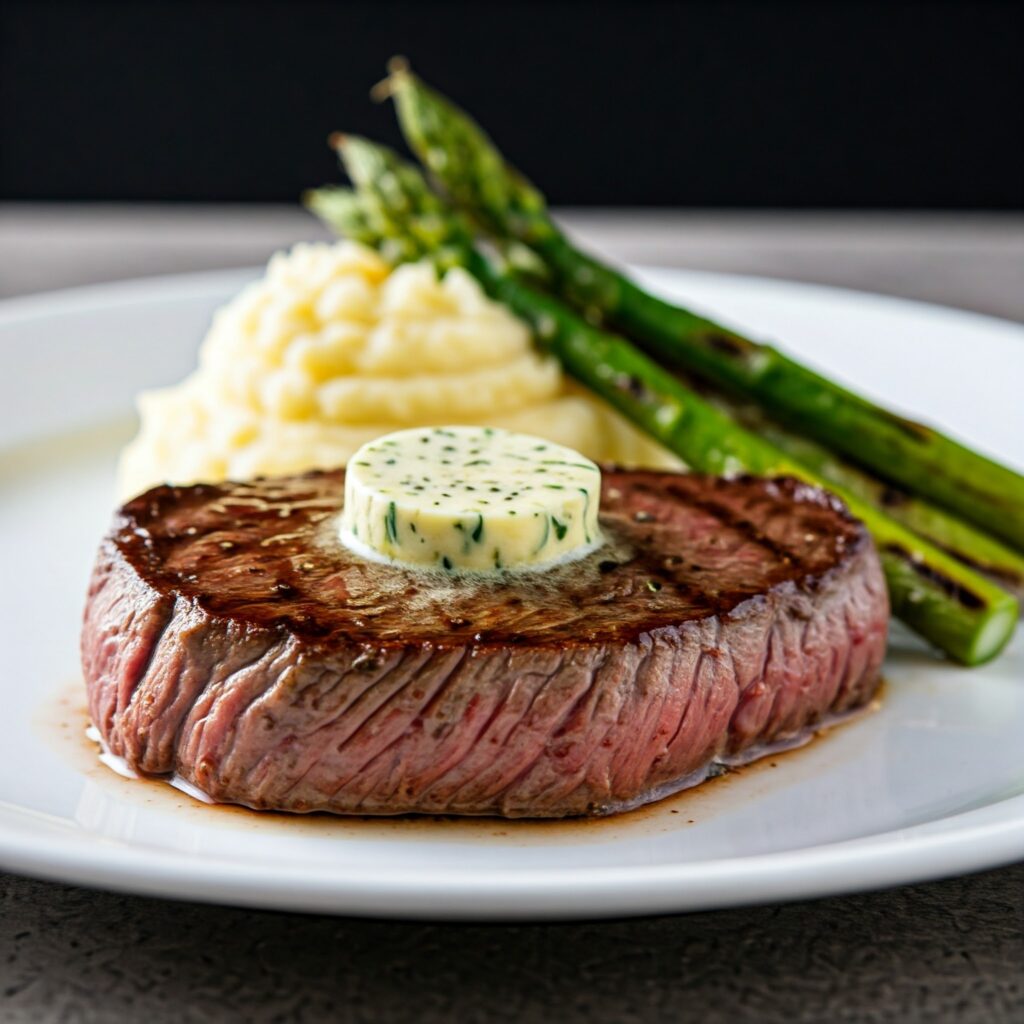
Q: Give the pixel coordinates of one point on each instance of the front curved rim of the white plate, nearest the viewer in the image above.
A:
(903, 857)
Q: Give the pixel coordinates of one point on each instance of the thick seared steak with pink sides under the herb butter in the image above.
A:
(231, 639)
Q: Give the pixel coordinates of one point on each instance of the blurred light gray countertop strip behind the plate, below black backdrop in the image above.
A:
(975, 262)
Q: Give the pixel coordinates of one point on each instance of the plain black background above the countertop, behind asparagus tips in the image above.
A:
(700, 104)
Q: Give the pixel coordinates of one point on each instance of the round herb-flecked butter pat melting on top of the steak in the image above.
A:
(473, 499)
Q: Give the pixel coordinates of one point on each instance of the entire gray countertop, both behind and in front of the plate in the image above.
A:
(950, 951)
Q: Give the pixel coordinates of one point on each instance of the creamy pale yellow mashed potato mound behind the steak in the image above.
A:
(332, 349)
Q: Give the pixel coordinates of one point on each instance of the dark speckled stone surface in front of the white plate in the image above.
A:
(947, 952)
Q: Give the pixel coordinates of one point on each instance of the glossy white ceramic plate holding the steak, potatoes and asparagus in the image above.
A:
(931, 785)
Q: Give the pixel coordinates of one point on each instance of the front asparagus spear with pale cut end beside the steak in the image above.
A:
(948, 604)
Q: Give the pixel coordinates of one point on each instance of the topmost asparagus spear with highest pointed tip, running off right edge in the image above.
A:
(915, 457)
